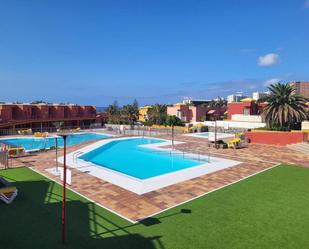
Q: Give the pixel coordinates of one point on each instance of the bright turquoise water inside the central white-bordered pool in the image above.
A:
(128, 157)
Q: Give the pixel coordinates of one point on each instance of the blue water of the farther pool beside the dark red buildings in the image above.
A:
(48, 142)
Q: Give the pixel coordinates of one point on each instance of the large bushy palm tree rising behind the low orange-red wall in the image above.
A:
(284, 108)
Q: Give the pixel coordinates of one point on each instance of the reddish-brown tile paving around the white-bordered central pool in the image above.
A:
(135, 207)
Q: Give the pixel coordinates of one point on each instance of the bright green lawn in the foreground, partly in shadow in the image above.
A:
(270, 210)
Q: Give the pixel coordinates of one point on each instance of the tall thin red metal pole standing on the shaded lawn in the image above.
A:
(63, 220)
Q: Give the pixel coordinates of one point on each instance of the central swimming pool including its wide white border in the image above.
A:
(142, 165)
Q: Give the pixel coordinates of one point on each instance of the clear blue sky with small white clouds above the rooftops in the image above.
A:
(95, 52)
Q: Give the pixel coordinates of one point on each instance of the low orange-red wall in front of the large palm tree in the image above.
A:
(277, 137)
